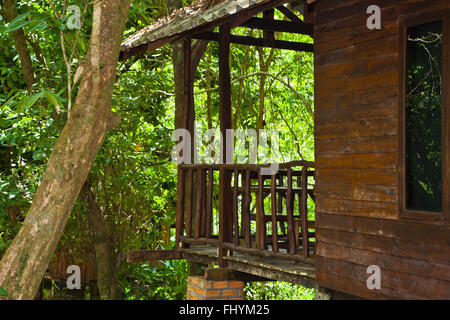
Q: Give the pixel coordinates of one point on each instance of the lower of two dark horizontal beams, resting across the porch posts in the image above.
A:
(259, 42)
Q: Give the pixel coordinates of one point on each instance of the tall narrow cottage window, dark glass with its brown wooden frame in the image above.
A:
(423, 128)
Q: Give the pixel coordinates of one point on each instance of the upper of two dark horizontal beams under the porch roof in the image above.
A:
(279, 26)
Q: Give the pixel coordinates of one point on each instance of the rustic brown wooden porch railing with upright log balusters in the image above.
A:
(225, 206)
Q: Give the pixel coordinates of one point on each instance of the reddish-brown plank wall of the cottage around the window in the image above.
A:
(356, 109)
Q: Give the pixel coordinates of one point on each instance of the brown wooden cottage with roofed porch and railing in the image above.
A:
(380, 180)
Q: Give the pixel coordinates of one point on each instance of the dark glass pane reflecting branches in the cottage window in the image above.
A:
(423, 117)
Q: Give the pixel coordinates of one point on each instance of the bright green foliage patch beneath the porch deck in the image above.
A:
(277, 291)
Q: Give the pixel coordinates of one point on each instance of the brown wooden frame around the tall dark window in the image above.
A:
(404, 23)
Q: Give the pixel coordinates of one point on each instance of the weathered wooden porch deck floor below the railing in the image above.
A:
(269, 268)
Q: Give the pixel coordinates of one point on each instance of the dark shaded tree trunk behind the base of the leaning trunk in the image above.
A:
(107, 280)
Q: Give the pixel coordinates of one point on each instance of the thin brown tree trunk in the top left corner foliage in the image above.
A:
(11, 13)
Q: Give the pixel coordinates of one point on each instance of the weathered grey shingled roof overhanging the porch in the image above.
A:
(197, 14)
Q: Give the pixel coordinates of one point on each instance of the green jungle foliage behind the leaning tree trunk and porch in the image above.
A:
(132, 178)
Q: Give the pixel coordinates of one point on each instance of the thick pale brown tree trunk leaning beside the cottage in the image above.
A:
(25, 261)
